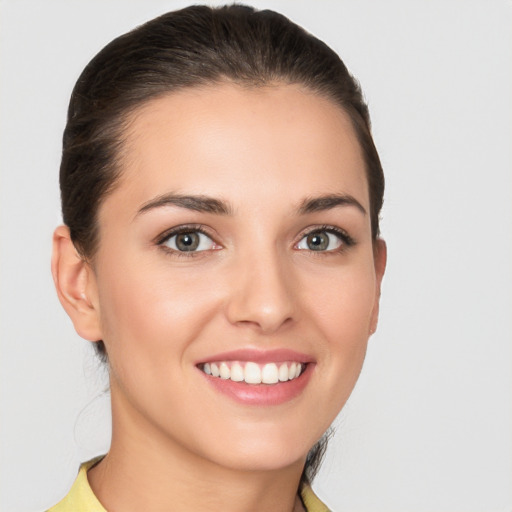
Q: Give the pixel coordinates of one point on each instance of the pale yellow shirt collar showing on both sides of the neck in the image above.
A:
(80, 498)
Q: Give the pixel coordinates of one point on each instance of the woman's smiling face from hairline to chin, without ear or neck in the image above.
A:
(238, 241)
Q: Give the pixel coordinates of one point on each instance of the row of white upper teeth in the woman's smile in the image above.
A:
(254, 373)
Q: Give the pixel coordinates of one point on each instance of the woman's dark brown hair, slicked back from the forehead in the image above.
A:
(194, 46)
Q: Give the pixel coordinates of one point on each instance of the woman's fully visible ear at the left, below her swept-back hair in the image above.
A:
(76, 287)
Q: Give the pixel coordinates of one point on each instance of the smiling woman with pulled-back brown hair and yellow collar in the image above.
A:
(221, 196)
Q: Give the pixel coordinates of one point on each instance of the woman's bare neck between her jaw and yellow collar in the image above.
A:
(145, 470)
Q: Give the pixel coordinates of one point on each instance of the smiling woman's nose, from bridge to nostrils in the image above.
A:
(262, 294)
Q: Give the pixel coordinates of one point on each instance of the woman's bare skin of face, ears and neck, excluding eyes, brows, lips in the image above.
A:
(263, 151)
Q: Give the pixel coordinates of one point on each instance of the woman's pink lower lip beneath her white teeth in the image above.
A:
(262, 394)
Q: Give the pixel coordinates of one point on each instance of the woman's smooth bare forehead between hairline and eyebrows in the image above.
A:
(246, 144)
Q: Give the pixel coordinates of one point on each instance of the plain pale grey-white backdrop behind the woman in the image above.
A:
(429, 425)
